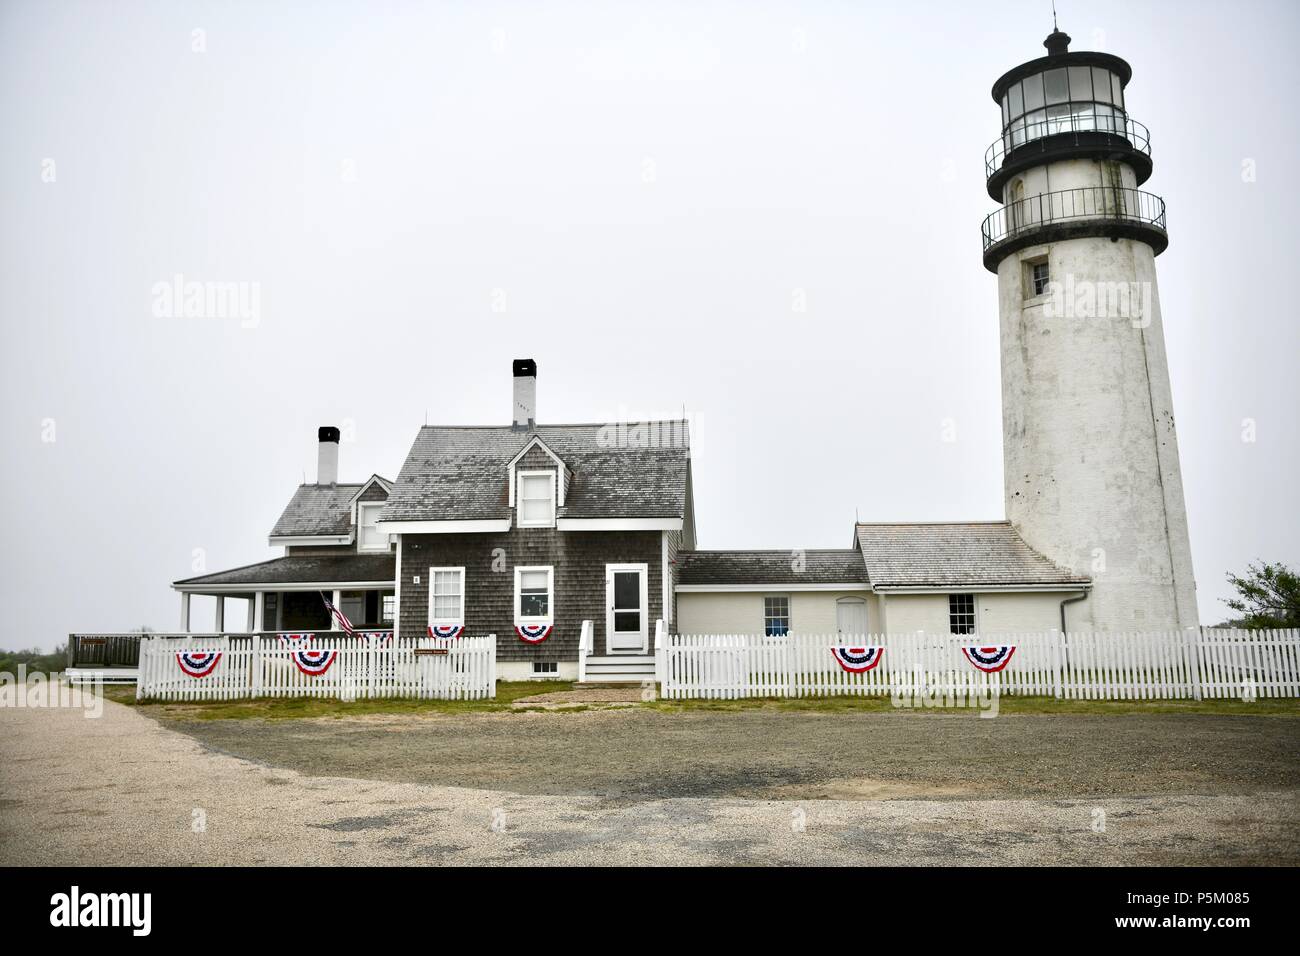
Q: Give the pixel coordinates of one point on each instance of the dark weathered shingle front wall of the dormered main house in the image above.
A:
(579, 559)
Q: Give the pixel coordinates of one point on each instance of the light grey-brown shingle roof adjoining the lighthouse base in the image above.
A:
(955, 556)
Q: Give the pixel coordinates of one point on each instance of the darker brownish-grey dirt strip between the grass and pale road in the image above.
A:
(645, 755)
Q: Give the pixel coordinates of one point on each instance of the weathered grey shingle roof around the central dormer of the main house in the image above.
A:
(461, 473)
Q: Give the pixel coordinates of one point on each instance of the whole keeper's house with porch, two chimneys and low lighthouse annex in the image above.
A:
(528, 531)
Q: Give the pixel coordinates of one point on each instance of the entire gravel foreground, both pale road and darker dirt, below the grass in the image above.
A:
(648, 788)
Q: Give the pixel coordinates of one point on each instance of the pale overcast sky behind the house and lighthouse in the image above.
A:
(636, 196)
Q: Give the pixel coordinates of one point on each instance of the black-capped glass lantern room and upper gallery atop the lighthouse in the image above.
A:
(1065, 106)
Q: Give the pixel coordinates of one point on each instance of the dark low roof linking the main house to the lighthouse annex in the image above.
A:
(842, 566)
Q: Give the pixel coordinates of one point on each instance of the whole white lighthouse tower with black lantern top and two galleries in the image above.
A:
(1090, 453)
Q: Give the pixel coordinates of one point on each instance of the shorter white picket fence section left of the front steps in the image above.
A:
(263, 667)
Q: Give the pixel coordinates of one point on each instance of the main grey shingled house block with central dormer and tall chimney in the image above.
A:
(526, 531)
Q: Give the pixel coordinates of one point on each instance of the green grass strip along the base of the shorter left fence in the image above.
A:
(292, 708)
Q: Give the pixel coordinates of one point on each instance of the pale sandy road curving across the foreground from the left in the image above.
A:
(124, 789)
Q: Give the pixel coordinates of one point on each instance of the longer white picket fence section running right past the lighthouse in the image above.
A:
(1168, 665)
